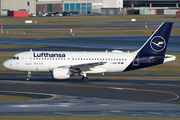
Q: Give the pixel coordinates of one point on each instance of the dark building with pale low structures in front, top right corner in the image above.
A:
(152, 7)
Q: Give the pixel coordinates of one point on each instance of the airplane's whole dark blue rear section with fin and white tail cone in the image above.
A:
(153, 51)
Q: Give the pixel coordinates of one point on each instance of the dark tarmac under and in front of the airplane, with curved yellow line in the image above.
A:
(98, 97)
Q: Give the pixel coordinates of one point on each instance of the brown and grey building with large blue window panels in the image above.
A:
(81, 6)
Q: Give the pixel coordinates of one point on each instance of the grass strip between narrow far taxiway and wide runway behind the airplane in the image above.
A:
(52, 32)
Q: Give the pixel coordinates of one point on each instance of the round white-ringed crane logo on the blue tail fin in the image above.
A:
(158, 43)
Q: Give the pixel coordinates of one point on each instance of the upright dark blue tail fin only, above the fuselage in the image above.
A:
(157, 43)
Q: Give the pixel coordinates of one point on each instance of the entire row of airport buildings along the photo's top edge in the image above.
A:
(105, 7)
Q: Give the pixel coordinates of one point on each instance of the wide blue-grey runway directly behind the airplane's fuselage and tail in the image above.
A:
(91, 43)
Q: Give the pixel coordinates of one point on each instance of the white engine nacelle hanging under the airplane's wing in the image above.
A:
(61, 73)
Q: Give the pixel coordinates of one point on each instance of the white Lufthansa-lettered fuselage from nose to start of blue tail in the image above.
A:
(44, 61)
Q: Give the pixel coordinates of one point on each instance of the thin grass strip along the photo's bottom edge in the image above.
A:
(47, 117)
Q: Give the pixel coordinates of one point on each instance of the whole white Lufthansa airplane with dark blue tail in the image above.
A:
(64, 64)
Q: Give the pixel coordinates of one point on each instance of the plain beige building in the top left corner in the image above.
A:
(17, 5)
